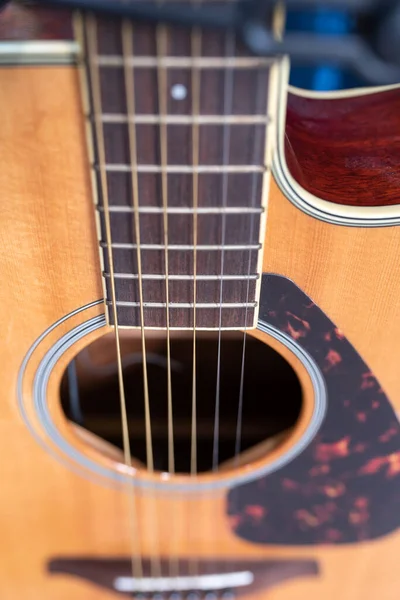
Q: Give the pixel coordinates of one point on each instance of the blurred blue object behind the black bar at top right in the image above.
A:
(322, 77)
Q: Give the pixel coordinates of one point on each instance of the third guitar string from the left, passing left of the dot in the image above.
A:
(162, 43)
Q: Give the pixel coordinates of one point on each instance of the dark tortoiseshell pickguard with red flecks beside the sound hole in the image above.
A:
(345, 487)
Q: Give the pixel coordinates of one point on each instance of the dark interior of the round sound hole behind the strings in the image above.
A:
(271, 406)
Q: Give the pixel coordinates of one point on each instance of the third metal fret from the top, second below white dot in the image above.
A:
(126, 168)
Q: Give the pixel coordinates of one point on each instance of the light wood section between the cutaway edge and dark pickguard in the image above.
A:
(351, 273)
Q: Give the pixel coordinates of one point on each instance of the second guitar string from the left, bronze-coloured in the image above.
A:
(128, 53)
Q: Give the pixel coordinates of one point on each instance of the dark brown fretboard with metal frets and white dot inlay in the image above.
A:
(180, 169)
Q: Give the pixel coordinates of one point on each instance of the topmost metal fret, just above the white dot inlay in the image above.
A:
(179, 62)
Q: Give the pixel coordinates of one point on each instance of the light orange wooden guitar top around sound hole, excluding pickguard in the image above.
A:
(49, 267)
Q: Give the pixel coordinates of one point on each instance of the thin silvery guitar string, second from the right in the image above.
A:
(228, 102)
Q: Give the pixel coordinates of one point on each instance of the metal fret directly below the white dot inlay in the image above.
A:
(185, 119)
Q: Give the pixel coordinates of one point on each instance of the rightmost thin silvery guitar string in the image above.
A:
(257, 152)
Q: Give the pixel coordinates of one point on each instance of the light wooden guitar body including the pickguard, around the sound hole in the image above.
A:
(322, 525)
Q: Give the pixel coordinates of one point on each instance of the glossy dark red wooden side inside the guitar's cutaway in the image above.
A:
(346, 150)
